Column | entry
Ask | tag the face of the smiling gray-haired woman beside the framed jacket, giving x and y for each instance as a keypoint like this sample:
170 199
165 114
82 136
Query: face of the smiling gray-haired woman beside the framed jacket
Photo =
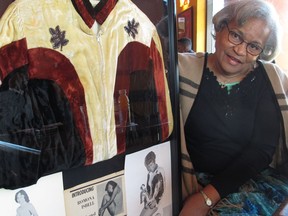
233 59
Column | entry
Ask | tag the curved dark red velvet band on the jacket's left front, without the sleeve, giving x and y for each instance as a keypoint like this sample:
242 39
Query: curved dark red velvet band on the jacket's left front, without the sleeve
52 65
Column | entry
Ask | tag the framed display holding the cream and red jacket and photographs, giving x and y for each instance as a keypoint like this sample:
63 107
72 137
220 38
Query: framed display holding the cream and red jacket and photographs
88 94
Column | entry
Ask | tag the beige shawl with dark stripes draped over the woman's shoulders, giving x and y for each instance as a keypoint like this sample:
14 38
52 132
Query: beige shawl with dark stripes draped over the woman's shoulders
190 72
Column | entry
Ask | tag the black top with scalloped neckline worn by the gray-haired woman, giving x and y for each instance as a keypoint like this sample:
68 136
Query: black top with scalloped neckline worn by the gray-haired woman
233 136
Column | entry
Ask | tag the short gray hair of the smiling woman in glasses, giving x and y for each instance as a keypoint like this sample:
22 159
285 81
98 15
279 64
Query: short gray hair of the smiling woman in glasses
242 11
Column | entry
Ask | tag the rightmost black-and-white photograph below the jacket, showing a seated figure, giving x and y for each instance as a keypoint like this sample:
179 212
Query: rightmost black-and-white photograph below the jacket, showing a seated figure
148 181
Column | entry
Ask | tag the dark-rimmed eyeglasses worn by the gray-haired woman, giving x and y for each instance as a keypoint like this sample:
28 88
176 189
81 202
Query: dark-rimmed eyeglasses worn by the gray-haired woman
235 38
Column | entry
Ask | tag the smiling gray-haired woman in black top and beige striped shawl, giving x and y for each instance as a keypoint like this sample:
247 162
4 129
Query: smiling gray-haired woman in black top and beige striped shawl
232 121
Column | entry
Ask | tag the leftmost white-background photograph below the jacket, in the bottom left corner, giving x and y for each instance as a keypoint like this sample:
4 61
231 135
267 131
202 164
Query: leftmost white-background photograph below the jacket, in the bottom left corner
45 198
